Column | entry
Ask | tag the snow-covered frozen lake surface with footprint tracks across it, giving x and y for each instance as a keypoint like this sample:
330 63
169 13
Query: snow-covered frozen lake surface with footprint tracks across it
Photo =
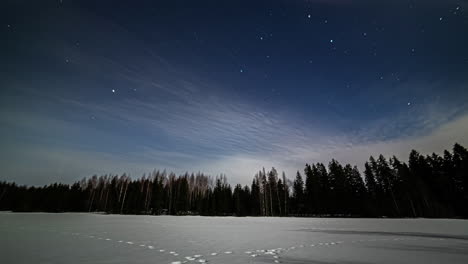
93 238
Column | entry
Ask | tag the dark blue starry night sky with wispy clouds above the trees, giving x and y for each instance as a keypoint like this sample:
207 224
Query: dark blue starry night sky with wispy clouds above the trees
92 87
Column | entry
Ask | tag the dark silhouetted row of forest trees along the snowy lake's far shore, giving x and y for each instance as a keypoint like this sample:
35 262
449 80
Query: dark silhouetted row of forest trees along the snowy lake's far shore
425 186
